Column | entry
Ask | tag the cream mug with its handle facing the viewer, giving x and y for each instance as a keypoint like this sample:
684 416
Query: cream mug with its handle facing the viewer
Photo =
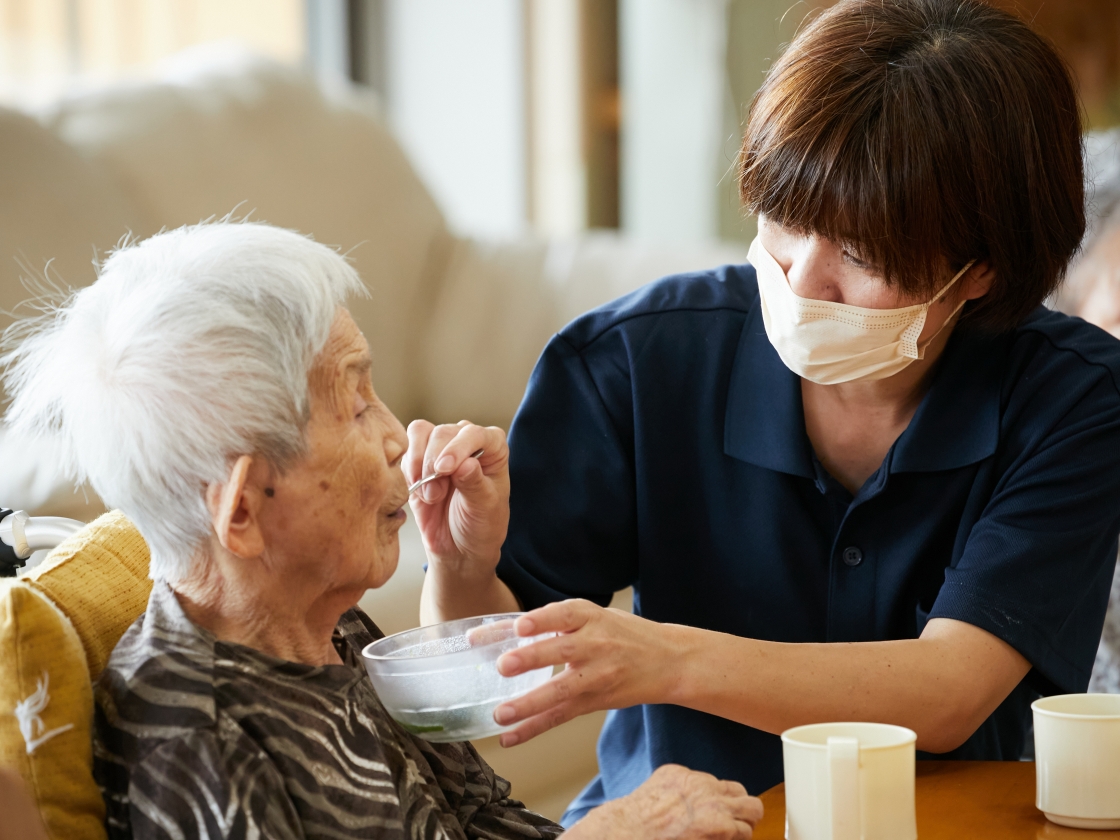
850 782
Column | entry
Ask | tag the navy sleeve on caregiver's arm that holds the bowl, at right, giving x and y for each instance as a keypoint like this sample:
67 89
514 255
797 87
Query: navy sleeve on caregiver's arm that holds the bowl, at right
1038 565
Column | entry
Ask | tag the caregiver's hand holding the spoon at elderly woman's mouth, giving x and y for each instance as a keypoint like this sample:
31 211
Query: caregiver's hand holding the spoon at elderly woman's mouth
464 516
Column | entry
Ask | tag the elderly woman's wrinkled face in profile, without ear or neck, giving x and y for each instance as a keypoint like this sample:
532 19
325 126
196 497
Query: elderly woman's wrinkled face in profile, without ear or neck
334 517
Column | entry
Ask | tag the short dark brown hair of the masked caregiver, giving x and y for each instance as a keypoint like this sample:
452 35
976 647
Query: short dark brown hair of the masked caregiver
925 132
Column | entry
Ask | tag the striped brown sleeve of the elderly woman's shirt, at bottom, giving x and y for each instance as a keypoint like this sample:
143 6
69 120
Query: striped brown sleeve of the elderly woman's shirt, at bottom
193 788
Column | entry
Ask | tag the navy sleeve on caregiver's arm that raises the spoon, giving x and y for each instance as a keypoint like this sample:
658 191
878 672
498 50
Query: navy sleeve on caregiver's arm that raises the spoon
572 470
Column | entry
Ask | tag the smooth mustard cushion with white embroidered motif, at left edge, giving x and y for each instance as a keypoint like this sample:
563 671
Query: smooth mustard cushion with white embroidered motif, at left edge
46 713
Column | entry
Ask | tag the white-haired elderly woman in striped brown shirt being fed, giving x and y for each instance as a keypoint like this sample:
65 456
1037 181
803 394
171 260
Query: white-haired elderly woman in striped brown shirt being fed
213 387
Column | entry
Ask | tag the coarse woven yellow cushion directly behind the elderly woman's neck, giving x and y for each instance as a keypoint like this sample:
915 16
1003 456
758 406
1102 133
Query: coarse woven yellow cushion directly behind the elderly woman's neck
99 578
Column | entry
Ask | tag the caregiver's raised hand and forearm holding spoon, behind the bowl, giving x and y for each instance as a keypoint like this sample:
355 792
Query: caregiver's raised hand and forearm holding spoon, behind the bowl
463 518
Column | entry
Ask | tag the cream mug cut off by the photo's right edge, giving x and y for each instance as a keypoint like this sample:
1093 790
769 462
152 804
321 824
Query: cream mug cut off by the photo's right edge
1078 760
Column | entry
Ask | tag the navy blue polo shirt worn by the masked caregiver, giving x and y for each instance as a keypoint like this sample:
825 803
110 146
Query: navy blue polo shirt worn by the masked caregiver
662 445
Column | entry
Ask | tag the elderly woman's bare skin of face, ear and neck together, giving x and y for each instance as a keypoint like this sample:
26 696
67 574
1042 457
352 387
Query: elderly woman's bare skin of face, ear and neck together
293 552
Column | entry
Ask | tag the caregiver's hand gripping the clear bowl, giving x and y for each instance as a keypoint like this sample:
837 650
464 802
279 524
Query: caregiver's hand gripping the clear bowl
613 660
